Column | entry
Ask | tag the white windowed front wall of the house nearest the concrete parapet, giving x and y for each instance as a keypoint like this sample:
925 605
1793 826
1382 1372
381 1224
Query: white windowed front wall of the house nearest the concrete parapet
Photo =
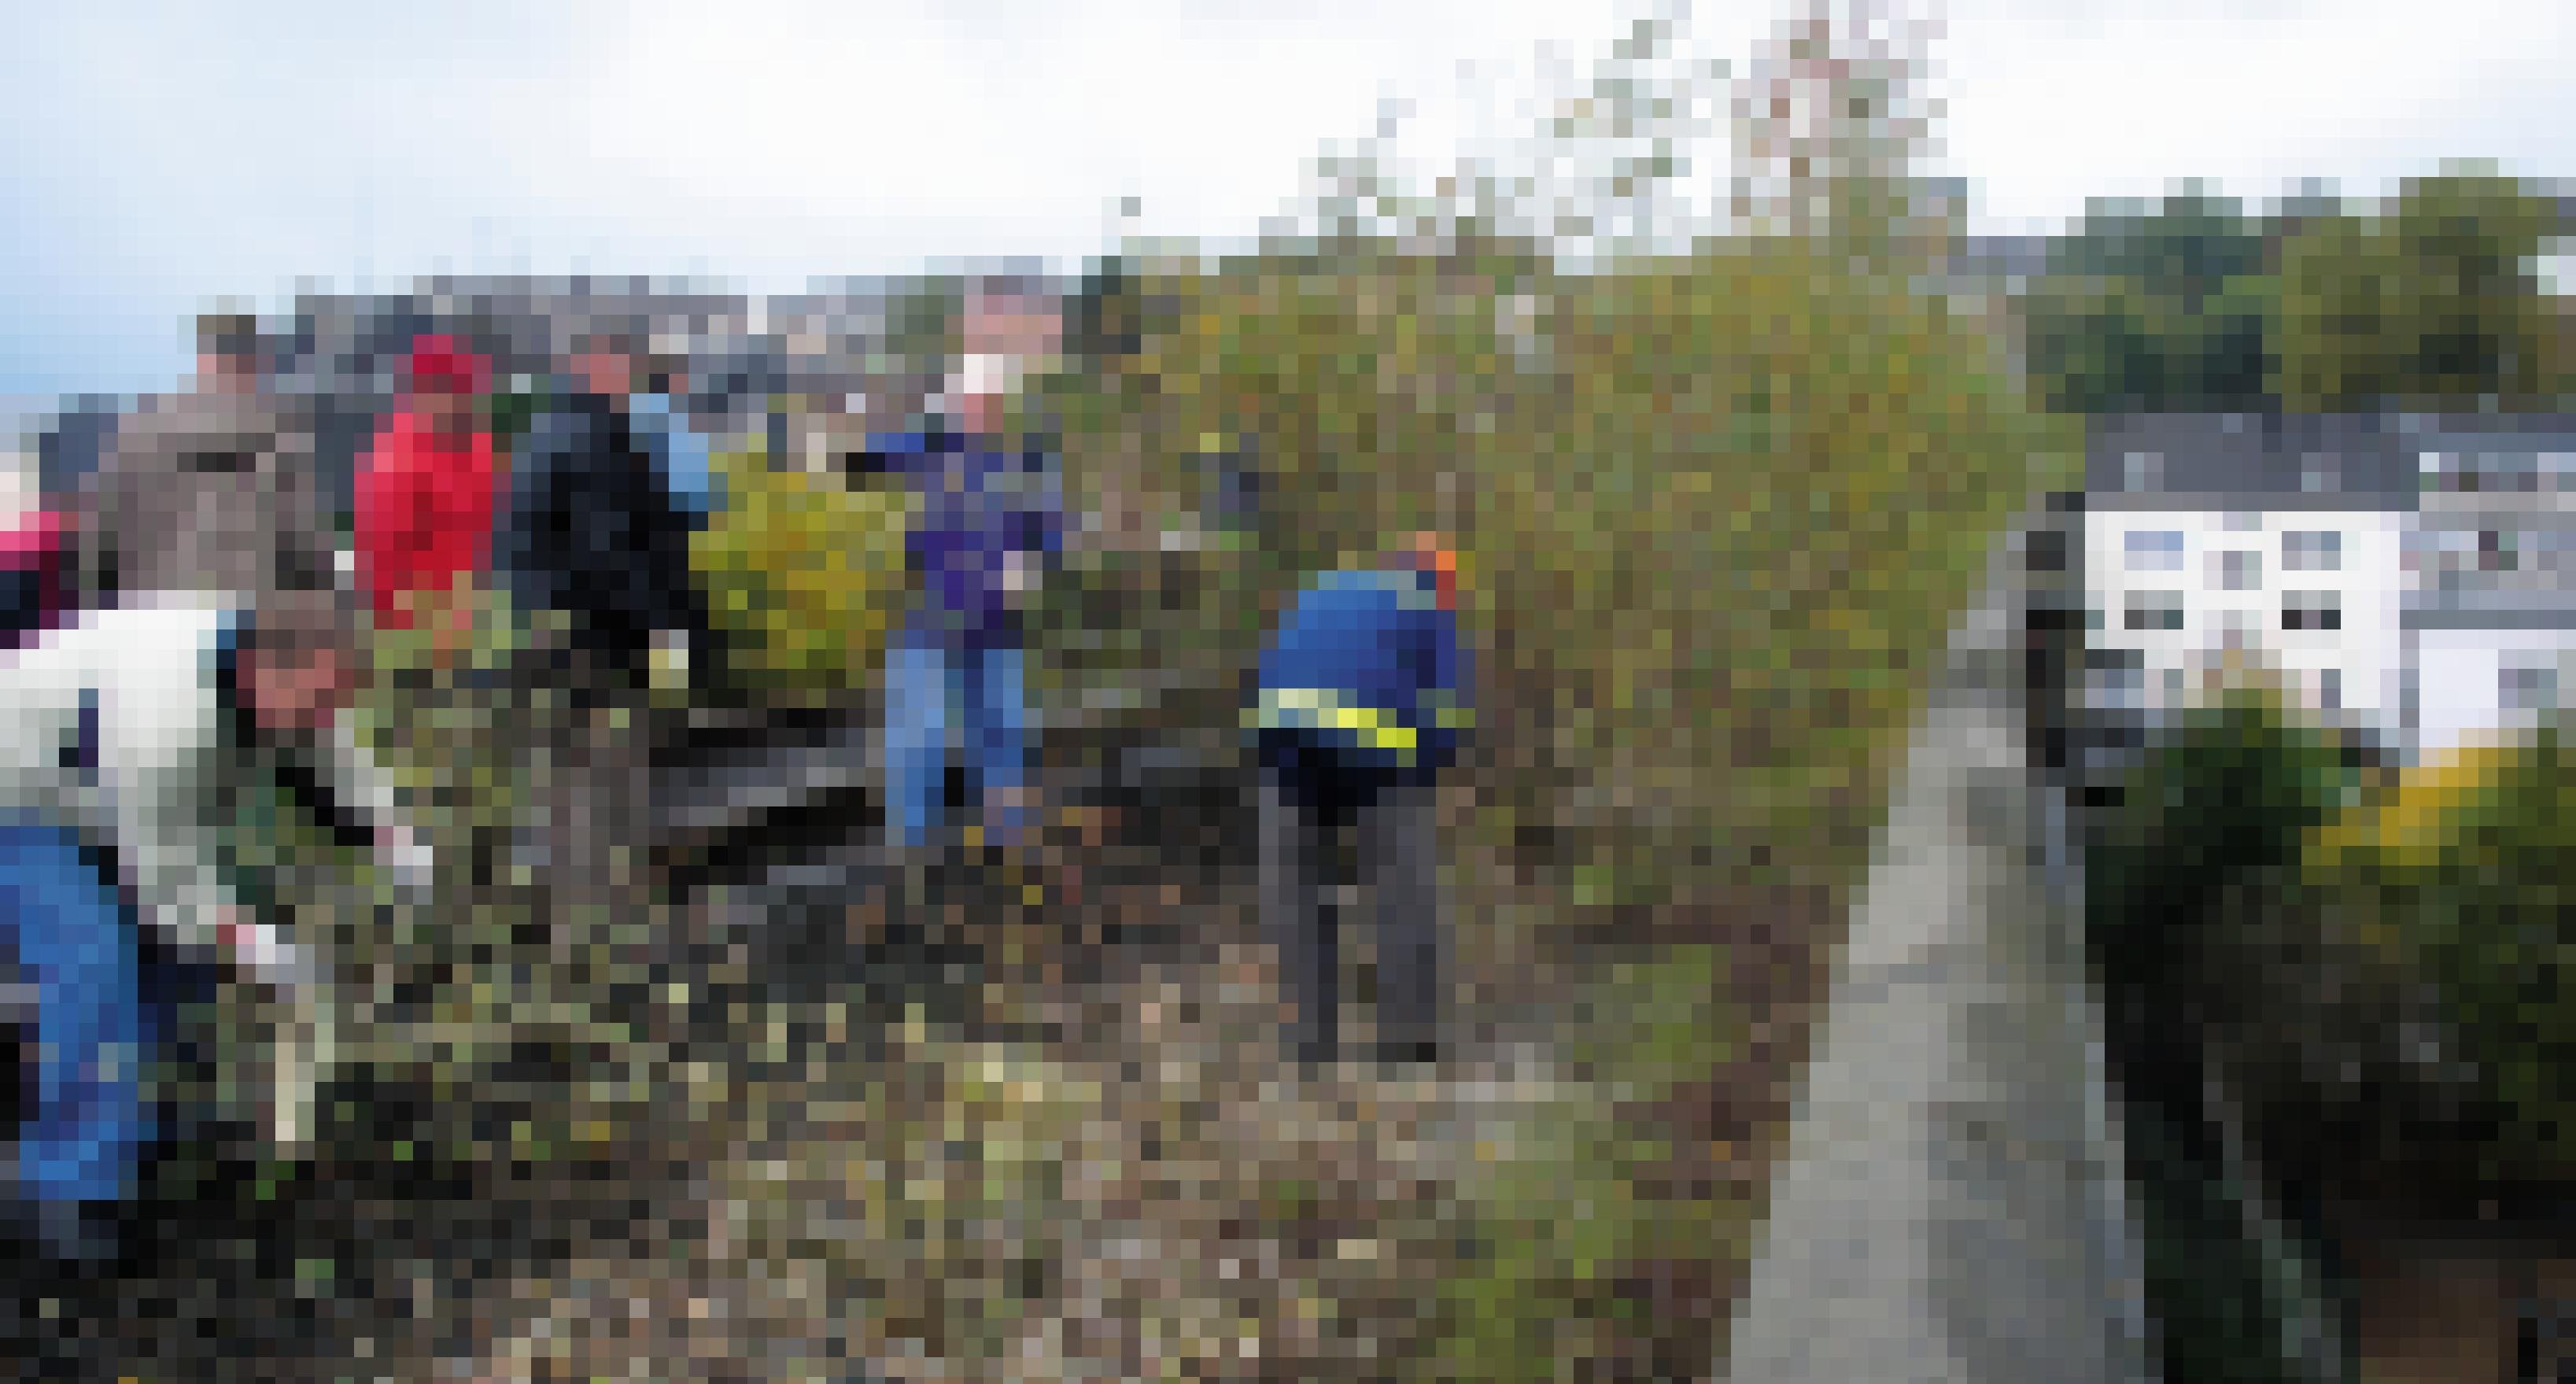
2183 561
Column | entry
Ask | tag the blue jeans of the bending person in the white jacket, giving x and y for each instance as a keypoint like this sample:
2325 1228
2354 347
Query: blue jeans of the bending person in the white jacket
71 942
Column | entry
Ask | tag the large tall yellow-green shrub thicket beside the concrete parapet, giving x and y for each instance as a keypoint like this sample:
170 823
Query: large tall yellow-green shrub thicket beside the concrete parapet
1717 519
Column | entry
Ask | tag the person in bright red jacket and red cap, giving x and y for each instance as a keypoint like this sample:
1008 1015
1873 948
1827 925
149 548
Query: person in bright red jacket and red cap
424 506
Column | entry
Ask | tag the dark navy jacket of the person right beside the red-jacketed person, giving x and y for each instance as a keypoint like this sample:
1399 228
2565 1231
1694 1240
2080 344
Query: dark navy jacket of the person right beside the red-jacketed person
594 532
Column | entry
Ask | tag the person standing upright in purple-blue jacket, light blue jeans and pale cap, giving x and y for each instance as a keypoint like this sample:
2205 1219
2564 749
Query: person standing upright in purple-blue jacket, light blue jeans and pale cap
988 527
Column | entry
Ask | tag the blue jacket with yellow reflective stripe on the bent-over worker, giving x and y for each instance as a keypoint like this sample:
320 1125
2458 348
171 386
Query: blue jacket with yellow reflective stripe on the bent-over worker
1367 666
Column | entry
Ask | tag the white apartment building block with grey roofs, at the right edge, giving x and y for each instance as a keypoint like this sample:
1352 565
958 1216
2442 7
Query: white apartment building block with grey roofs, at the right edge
2405 576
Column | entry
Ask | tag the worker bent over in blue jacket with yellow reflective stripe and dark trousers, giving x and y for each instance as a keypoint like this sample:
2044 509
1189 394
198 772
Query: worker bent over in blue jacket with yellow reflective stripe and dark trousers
1359 707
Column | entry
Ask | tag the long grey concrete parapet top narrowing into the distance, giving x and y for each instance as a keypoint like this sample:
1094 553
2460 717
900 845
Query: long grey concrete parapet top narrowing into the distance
1951 1202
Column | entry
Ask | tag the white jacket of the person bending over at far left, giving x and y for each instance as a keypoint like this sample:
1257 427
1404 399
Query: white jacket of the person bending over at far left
117 726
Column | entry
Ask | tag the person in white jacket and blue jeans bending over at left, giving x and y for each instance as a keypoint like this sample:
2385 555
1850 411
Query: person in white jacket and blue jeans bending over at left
125 738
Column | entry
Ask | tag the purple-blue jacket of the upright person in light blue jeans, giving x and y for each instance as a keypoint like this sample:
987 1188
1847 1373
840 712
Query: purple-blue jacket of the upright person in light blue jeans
978 509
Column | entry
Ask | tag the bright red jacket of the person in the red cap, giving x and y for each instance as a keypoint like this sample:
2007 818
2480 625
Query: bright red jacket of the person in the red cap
424 514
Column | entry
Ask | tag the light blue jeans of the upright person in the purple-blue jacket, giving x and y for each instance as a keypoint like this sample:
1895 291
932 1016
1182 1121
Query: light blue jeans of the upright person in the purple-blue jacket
931 692
